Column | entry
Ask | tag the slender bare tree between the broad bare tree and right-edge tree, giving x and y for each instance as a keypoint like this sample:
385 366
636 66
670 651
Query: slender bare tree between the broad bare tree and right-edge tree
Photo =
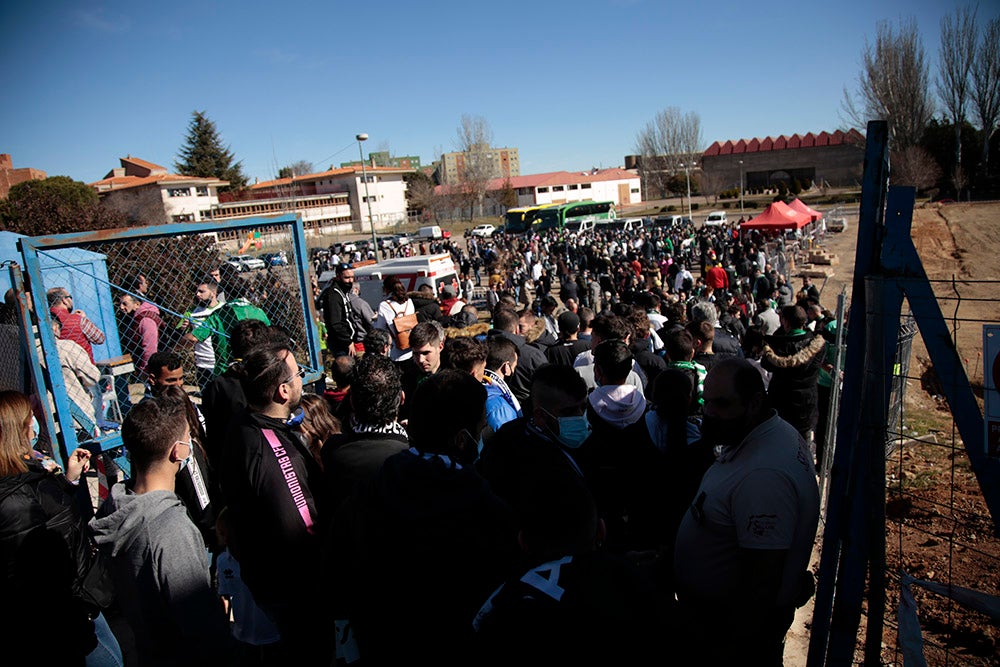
958 48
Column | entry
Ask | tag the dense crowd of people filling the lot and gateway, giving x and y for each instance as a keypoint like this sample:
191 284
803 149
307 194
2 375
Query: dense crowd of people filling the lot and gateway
611 457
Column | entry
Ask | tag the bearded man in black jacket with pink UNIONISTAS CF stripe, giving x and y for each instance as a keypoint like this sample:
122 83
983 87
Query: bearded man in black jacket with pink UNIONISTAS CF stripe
272 486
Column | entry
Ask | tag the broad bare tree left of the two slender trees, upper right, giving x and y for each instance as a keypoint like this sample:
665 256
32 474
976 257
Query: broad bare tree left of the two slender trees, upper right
893 85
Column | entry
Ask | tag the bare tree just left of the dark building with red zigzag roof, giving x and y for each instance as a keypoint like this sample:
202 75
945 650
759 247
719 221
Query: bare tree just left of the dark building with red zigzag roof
665 142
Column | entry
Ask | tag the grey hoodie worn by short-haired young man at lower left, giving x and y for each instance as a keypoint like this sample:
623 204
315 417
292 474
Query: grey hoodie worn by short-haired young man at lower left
161 577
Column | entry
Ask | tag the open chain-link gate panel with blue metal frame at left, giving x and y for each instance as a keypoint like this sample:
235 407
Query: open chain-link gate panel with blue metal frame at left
119 297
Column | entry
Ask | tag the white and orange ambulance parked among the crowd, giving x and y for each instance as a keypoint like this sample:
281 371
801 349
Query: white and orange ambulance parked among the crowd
434 270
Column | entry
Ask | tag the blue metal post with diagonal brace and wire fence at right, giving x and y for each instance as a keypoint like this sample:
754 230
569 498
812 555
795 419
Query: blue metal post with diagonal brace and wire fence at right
910 545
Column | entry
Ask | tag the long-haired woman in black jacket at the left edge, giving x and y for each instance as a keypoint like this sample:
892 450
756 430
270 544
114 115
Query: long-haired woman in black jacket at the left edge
48 566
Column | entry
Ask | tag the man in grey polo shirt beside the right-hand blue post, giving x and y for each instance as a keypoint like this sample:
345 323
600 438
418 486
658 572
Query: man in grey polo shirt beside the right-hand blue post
744 544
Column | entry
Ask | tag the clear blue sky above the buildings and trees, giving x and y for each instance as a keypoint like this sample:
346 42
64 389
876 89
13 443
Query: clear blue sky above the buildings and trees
568 83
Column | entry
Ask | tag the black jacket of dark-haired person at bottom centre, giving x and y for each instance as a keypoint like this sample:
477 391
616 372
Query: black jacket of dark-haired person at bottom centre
429 542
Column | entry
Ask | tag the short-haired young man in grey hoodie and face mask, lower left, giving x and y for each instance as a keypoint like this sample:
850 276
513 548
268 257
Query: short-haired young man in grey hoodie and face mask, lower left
157 556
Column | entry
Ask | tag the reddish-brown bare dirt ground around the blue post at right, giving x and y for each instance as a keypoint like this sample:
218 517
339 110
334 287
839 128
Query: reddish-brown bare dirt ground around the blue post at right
938 526
